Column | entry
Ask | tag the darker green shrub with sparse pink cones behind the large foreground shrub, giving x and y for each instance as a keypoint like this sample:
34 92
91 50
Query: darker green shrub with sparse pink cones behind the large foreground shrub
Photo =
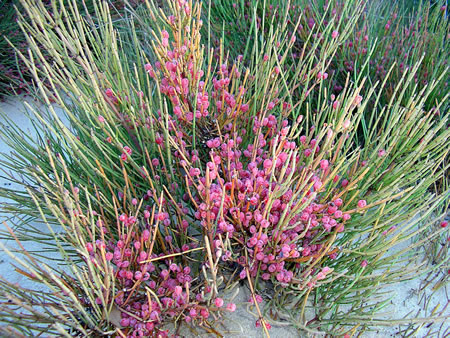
375 43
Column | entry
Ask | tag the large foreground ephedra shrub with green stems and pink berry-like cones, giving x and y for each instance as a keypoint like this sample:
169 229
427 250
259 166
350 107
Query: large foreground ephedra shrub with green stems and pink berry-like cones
178 176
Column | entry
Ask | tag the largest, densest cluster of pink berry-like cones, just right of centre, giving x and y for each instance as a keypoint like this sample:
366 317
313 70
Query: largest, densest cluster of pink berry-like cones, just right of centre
256 203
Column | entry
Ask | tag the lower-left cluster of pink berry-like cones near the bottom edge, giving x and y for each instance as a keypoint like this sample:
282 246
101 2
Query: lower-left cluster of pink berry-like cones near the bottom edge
137 269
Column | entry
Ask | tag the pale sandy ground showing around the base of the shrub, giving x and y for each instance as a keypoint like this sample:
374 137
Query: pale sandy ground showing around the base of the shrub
407 300
